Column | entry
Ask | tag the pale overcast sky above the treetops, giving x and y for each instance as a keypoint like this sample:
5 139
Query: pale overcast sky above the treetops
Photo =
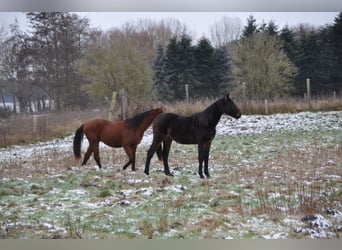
198 22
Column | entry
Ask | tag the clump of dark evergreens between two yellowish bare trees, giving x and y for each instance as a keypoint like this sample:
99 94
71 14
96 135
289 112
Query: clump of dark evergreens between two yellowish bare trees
204 68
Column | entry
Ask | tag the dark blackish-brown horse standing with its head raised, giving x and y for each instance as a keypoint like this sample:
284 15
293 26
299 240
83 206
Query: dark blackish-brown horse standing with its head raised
199 128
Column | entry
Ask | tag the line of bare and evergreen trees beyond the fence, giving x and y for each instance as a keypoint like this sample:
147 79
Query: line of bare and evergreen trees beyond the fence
62 62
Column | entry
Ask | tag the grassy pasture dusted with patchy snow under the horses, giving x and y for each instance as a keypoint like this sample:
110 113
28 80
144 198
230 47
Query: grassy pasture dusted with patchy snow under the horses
275 176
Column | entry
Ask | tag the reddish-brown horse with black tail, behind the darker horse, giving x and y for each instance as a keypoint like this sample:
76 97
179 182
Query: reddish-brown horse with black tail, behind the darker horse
127 134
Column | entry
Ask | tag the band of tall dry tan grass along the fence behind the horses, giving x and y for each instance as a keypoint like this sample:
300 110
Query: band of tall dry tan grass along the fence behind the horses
20 129
